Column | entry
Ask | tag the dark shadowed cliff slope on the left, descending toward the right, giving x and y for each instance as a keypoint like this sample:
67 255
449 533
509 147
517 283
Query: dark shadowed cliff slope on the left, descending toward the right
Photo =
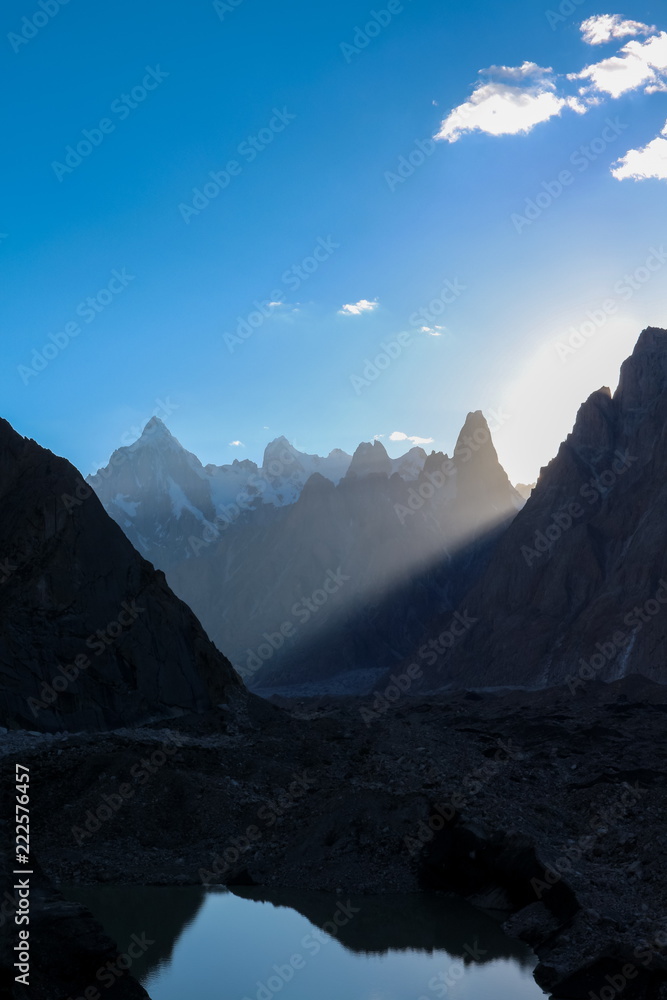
91 636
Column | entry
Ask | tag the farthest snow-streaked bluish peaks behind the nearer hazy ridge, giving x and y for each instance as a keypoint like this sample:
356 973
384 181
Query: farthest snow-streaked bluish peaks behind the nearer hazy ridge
168 503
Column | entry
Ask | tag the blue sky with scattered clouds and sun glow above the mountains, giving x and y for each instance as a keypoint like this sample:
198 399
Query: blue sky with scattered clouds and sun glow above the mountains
332 110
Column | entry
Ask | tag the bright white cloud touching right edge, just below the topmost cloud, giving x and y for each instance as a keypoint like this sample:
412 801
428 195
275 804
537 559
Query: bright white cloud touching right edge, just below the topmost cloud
639 64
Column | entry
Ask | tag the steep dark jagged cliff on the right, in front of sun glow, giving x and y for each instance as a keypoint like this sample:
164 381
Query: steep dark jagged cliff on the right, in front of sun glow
577 586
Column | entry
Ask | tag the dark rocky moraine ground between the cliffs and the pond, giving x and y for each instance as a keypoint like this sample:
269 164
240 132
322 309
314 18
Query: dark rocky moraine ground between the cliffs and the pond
548 808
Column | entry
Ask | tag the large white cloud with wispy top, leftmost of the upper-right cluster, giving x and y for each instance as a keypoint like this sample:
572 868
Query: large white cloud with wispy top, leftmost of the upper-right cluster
499 108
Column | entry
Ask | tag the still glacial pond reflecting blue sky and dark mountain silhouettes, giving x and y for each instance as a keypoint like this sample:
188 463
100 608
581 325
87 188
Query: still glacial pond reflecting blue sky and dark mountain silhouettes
257 944
